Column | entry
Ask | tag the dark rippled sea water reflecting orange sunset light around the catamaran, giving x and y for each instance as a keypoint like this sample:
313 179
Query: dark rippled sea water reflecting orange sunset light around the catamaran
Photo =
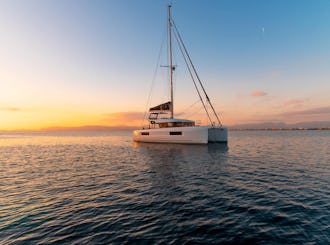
265 187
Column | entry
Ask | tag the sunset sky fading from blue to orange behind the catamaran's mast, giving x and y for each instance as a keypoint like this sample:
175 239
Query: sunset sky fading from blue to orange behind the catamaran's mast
77 63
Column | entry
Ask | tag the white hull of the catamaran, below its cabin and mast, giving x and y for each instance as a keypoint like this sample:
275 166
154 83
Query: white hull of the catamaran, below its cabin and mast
185 135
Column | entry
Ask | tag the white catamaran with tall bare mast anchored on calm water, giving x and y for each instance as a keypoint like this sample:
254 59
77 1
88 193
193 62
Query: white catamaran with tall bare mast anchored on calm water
163 126
